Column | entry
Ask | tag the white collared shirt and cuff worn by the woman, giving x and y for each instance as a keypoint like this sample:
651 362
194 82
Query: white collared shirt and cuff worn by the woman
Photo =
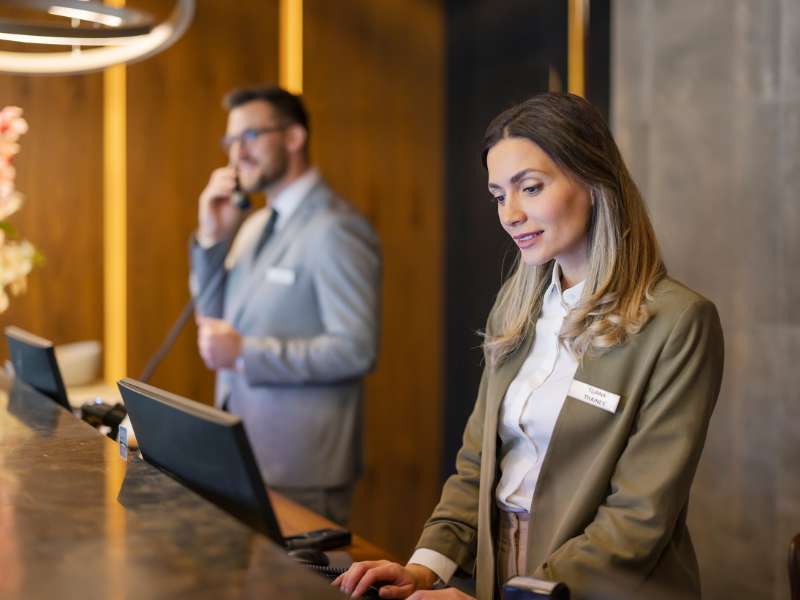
528 413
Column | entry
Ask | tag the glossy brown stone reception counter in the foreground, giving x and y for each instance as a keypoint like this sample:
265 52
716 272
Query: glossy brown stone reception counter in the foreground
77 521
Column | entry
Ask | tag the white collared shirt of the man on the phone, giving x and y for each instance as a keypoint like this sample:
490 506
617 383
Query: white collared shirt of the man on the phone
286 203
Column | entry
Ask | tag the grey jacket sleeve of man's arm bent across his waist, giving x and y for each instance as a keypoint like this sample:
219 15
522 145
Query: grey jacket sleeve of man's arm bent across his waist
346 274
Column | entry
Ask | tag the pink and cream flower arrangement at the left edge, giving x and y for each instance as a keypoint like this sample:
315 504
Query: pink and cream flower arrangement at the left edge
17 256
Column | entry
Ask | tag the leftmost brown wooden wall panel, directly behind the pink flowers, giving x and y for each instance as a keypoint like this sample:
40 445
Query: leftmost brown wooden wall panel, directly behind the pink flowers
60 172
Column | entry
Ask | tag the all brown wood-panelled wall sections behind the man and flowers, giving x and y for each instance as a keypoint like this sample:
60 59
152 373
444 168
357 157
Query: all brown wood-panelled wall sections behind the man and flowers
374 83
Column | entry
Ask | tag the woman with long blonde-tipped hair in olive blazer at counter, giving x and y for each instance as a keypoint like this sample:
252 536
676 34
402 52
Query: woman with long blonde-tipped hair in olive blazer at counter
601 376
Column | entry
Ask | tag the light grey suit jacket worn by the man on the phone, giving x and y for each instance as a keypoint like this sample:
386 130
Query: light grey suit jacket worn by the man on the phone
308 308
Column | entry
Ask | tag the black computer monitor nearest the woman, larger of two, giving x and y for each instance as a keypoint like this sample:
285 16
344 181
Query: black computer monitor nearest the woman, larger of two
204 448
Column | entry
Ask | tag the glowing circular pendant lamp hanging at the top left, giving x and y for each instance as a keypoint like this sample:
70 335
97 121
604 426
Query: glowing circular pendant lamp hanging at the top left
99 36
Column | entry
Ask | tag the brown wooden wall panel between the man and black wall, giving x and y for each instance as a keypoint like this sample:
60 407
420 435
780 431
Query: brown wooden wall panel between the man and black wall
373 82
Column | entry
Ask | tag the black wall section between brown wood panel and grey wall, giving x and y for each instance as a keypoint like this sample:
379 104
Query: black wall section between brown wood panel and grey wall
498 53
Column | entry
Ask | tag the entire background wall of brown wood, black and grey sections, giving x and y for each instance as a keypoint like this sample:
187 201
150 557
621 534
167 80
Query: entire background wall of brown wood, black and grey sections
704 99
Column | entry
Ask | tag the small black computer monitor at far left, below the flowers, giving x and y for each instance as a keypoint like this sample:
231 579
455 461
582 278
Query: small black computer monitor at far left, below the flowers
35 363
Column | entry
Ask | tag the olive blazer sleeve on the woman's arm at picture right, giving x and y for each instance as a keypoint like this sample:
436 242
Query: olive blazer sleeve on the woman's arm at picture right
650 484
